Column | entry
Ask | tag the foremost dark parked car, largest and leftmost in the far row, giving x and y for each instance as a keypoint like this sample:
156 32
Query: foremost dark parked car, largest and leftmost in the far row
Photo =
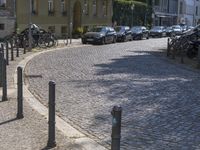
100 35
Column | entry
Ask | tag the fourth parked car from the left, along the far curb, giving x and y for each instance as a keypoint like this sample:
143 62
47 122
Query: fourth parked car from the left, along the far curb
158 31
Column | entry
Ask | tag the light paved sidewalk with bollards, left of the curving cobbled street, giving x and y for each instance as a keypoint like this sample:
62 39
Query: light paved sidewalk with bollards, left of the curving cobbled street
31 132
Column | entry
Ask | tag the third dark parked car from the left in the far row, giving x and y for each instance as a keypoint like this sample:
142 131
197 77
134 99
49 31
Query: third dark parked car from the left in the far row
139 32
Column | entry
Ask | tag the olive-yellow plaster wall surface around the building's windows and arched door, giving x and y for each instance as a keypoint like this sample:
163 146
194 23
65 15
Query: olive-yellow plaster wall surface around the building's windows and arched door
43 20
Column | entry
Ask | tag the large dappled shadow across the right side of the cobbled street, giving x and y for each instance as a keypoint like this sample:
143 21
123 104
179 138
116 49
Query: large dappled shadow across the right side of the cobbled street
159 100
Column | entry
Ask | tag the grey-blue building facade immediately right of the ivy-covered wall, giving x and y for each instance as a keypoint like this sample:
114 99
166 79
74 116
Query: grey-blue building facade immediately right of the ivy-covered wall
165 12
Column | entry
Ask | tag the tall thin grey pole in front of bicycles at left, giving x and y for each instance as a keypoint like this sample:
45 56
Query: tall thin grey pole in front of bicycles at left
29 27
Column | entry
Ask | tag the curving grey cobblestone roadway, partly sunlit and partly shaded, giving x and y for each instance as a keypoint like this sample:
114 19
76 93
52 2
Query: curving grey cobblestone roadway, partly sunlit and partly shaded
160 100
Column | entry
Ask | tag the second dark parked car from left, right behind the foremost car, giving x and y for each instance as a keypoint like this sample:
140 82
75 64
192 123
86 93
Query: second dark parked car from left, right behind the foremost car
123 33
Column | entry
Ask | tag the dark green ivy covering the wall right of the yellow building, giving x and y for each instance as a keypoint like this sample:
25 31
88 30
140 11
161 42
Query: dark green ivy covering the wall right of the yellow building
124 15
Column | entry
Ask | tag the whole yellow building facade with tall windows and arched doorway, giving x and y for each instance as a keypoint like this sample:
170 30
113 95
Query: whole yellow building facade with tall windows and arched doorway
62 16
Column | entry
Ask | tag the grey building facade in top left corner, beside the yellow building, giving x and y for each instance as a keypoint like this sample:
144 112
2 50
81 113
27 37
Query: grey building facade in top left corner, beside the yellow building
7 17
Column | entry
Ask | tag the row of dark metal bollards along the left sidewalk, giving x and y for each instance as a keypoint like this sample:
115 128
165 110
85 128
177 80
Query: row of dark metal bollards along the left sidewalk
116 111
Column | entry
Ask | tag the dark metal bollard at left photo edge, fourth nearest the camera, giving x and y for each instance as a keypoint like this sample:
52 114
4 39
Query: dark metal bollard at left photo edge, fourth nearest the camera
4 76
